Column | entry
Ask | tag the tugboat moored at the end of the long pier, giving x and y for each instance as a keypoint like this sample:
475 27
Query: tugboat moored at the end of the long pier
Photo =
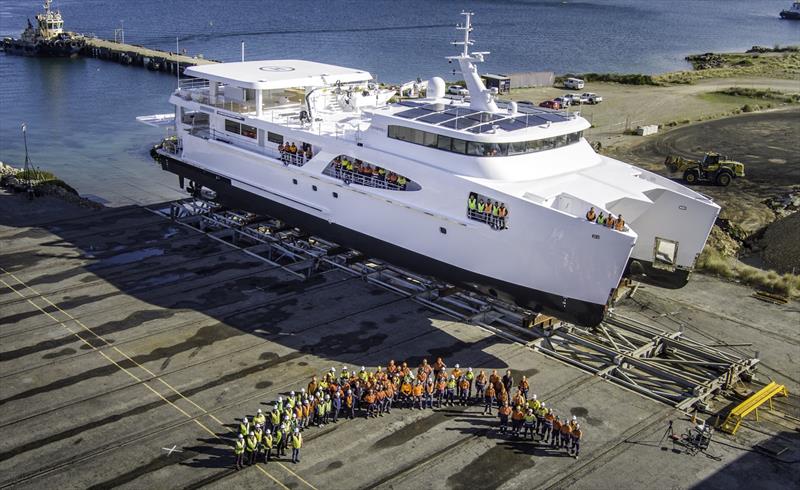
47 38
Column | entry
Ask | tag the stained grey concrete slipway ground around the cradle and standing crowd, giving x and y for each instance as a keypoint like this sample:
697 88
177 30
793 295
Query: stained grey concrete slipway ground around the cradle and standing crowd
131 345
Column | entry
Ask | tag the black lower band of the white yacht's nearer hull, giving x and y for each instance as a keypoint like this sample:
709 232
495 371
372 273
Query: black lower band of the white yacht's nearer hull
566 309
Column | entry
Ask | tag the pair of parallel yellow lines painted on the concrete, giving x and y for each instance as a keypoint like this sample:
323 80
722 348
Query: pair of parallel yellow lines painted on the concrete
205 412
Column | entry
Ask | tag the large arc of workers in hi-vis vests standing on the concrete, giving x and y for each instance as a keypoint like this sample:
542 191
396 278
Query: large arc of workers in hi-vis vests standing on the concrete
365 393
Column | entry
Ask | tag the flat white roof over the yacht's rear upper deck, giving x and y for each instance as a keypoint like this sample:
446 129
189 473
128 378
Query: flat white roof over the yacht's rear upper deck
277 74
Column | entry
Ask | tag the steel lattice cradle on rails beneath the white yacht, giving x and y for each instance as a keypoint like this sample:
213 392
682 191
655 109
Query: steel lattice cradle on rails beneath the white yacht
662 365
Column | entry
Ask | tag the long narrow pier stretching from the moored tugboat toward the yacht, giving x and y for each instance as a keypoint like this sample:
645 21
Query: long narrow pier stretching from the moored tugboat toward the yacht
131 54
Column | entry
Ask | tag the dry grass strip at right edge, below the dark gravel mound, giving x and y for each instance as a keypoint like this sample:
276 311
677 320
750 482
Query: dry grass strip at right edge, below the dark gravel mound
711 261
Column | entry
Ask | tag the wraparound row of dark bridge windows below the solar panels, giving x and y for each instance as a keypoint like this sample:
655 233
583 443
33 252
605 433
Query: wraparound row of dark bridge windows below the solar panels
476 148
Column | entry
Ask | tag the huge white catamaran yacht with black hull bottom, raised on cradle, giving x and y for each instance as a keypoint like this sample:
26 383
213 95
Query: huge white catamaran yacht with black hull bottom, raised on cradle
320 147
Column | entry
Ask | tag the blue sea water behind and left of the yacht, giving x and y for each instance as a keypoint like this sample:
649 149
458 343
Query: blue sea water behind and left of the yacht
80 113
